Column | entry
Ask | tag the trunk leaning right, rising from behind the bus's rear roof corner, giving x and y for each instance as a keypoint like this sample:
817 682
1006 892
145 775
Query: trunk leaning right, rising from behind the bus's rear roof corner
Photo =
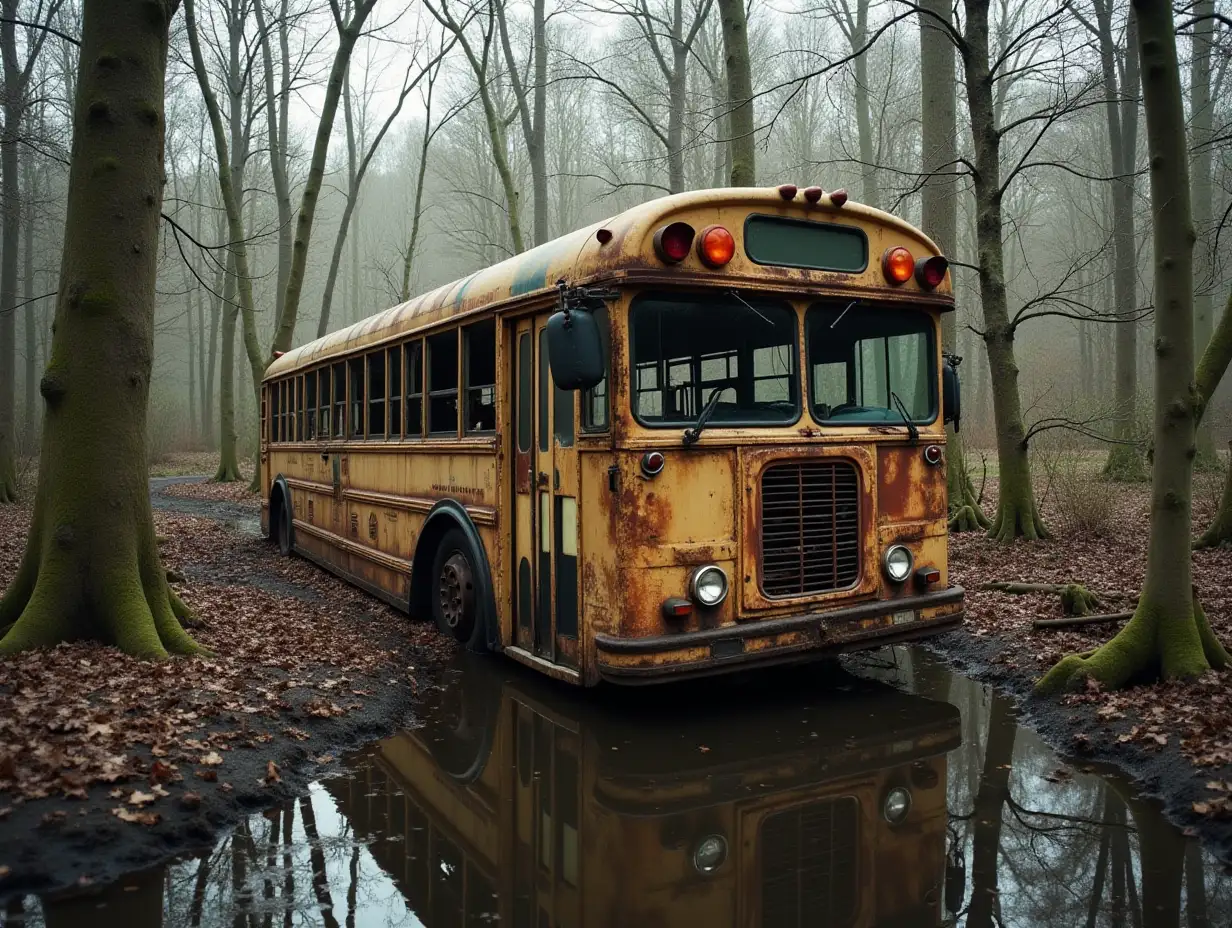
285 332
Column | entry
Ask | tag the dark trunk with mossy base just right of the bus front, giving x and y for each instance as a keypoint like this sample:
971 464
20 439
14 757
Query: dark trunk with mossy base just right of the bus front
1017 513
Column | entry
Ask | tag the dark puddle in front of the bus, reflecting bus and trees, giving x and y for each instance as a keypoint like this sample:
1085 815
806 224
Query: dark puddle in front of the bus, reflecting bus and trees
788 799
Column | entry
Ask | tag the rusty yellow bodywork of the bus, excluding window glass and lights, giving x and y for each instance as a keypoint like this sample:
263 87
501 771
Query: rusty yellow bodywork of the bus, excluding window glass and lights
581 550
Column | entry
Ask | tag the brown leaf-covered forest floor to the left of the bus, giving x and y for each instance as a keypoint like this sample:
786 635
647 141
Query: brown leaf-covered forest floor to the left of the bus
109 763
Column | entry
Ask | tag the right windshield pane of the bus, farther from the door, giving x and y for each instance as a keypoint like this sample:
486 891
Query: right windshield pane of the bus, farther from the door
867 362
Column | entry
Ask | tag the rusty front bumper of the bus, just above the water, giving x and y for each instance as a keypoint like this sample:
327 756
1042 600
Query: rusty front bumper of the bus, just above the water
772 641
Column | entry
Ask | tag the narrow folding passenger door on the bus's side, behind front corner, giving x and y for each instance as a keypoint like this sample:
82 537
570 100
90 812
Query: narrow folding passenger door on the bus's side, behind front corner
545 503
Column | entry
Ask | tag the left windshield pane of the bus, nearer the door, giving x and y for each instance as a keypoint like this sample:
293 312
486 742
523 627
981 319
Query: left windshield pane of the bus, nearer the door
684 348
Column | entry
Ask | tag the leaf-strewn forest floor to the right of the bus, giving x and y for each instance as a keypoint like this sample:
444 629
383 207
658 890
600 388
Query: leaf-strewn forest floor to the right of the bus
1176 740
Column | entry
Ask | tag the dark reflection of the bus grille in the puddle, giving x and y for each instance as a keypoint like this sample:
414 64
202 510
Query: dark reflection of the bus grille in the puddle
809 866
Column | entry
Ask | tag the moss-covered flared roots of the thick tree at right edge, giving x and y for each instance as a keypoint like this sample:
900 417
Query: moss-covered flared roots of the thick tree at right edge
1153 645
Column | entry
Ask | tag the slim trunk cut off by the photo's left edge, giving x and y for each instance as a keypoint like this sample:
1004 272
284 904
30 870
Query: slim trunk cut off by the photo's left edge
10 234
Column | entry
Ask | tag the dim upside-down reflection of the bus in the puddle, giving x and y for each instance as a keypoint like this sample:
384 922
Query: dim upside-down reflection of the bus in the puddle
528 805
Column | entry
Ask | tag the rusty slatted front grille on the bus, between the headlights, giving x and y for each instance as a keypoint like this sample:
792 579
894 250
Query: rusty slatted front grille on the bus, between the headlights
810 528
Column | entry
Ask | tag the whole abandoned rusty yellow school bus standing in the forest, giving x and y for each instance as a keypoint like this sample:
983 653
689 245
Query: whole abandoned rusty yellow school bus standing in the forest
704 434
